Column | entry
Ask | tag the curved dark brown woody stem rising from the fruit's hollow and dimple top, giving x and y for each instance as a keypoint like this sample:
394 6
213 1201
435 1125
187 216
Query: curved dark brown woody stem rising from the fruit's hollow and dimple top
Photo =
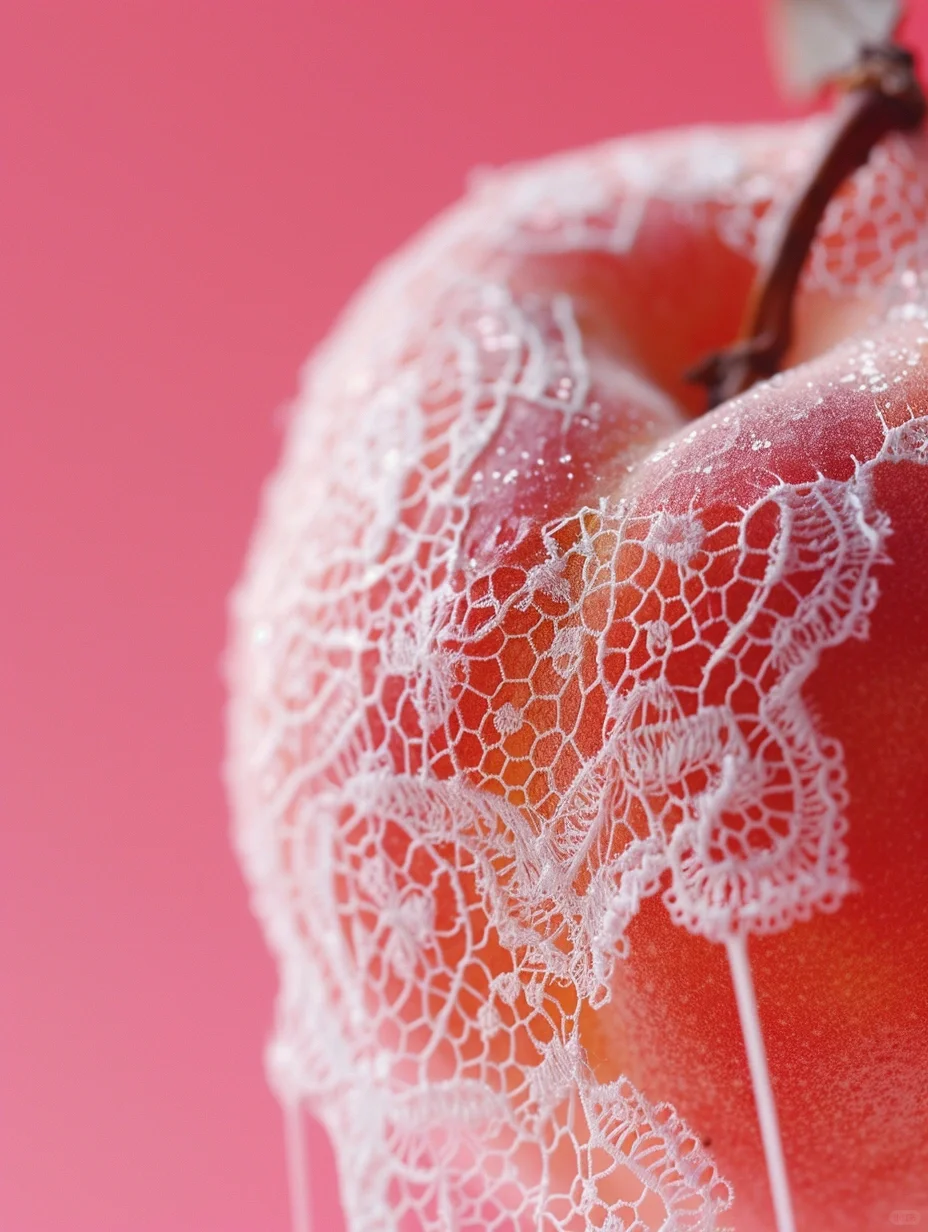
882 95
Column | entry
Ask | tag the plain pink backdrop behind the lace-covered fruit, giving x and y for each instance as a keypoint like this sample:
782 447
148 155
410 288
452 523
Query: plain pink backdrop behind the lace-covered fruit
189 193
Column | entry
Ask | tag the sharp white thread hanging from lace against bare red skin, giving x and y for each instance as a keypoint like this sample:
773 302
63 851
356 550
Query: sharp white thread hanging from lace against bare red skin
765 1102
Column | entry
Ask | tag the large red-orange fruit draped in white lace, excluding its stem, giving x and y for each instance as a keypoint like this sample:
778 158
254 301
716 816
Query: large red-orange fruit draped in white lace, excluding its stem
453 588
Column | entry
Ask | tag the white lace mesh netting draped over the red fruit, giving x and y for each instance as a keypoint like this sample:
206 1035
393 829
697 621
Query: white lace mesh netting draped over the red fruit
458 774
